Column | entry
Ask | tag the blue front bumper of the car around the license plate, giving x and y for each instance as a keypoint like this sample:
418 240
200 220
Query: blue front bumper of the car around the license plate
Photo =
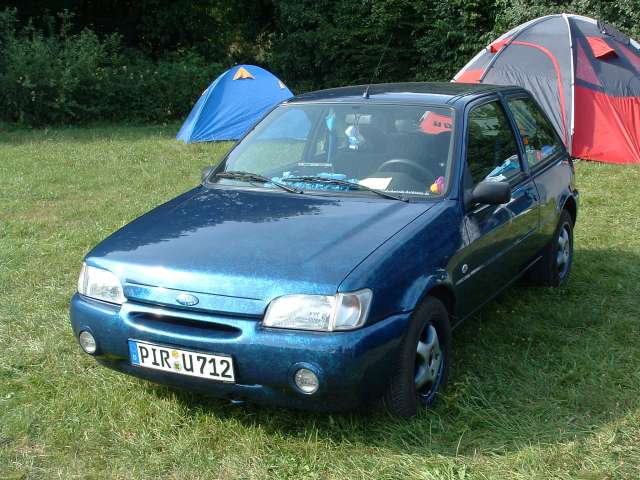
352 366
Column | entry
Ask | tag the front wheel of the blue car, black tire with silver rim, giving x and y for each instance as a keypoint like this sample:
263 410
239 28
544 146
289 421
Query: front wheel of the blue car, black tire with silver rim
422 362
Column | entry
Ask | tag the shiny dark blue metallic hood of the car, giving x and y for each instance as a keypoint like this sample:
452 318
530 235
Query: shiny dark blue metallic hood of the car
235 250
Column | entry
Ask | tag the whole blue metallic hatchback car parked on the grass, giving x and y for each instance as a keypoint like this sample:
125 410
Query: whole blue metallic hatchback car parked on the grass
325 261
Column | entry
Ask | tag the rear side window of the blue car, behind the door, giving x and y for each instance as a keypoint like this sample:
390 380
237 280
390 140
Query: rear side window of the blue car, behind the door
539 137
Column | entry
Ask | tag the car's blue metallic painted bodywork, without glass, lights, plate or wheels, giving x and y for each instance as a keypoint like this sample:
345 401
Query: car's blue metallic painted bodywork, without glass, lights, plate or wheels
236 249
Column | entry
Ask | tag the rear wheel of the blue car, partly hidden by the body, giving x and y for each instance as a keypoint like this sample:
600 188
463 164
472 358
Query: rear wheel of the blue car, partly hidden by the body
553 269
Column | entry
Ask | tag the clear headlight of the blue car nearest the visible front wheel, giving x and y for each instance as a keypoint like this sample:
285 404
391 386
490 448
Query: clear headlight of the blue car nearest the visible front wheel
343 311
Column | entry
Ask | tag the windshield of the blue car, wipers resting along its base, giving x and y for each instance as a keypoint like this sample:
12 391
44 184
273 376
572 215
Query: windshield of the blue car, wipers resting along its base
399 149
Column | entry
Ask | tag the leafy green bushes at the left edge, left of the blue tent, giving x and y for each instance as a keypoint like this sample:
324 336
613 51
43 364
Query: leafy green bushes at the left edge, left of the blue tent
51 76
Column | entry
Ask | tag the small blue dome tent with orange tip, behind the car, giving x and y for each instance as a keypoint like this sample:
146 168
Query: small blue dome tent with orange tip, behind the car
232 104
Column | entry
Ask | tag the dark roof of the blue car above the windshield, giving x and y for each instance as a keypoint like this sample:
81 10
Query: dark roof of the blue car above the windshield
409 92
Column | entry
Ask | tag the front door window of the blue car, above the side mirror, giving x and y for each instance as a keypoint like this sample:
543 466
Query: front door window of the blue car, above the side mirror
492 152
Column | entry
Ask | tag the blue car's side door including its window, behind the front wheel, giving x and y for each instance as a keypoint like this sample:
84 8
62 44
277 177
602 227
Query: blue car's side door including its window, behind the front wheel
499 239
